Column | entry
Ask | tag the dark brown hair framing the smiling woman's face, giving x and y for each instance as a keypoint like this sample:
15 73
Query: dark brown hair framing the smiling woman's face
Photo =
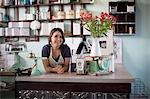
53 31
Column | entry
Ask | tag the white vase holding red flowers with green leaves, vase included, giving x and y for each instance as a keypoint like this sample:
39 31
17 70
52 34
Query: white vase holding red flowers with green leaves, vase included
98 26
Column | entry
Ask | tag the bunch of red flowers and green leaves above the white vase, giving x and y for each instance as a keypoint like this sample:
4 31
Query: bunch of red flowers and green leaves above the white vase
98 25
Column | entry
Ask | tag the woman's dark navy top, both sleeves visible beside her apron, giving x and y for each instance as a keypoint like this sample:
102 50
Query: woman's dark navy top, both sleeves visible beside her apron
65 51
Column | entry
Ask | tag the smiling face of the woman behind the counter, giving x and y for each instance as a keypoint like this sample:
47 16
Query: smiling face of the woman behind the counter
56 39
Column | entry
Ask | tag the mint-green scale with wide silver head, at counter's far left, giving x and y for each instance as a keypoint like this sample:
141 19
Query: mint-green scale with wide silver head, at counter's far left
16 48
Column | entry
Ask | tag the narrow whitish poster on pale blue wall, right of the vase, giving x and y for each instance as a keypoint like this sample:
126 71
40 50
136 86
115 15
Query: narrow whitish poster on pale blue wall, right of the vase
118 50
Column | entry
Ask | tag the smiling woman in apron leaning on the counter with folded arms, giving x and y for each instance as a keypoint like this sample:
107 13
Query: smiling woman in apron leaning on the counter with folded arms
57 53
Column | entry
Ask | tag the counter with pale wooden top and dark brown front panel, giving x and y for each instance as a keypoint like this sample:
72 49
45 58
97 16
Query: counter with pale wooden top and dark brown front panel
117 82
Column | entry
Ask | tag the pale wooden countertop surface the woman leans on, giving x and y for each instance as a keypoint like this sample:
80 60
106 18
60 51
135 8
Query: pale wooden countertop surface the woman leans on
121 75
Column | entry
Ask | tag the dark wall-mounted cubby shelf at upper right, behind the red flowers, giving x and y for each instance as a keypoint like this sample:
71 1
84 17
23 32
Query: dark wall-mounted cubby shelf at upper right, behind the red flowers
125 13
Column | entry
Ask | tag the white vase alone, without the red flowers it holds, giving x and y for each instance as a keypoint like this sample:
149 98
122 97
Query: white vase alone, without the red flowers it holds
95 49
